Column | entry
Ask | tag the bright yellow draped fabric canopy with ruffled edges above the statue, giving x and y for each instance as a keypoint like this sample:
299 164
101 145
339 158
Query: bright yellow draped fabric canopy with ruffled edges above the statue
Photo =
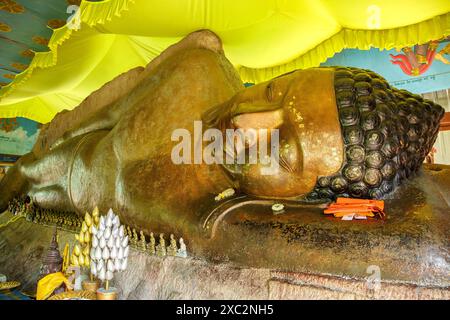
262 38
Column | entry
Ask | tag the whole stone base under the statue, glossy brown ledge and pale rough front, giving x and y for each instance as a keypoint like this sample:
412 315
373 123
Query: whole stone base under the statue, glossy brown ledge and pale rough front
300 254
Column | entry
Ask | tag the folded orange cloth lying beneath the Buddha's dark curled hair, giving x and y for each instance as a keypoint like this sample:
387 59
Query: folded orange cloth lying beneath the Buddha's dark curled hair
360 207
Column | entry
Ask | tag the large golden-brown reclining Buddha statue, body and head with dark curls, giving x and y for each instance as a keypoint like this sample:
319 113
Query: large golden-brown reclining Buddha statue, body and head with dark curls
343 132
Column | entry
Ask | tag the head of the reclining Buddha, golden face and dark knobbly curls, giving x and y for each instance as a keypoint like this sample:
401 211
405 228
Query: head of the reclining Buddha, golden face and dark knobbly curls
341 132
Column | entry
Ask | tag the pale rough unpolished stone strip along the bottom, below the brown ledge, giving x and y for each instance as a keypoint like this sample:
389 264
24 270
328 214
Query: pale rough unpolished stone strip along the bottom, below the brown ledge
174 278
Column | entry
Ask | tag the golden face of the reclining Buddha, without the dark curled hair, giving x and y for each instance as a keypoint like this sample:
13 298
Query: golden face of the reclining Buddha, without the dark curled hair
301 106
